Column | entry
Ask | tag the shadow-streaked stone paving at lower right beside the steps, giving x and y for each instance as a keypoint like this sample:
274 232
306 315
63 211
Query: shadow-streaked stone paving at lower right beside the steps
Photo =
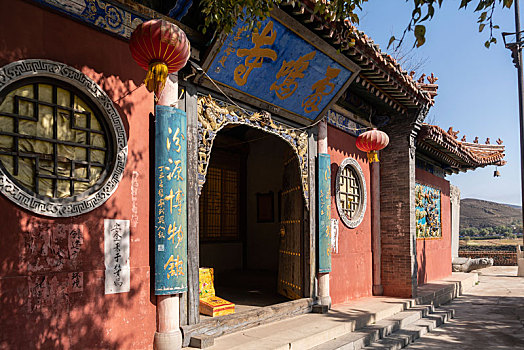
488 316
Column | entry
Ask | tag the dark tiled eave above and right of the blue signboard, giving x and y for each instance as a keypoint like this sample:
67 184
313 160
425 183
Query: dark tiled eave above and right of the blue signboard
381 74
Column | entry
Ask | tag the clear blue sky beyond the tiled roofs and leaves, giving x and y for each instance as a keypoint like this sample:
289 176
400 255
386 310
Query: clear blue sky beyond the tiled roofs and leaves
477 92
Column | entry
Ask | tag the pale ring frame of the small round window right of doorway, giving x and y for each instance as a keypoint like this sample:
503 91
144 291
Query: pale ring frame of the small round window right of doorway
359 216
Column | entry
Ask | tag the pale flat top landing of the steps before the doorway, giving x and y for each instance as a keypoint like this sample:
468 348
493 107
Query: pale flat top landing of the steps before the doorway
311 330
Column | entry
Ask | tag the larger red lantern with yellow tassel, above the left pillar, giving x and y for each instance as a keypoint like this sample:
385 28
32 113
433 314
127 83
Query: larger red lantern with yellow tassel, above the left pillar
160 47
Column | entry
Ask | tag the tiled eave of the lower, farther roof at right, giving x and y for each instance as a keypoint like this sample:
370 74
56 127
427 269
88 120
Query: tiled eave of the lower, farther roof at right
456 155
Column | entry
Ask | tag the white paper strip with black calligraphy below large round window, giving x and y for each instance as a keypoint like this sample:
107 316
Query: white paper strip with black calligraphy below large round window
116 251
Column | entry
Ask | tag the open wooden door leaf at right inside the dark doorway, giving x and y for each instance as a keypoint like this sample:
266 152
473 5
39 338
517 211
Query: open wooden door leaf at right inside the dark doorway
290 266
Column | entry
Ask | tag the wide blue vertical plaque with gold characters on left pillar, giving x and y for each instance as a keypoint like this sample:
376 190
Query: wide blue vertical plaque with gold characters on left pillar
170 201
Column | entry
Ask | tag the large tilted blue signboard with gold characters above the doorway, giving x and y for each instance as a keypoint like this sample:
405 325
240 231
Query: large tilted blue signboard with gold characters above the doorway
275 65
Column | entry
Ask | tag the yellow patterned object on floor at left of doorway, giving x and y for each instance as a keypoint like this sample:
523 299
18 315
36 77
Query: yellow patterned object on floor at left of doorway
210 304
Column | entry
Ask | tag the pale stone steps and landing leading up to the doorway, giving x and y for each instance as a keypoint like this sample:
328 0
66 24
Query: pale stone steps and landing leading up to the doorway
367 323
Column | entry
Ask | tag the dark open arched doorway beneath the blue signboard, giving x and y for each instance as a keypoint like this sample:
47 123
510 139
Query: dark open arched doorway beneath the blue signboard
251 219
